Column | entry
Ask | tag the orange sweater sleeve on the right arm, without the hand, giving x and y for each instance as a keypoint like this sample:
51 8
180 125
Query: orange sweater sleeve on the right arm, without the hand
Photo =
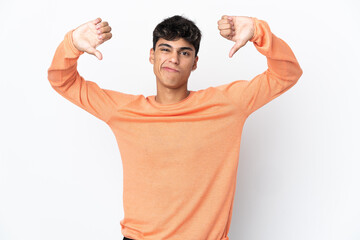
282 73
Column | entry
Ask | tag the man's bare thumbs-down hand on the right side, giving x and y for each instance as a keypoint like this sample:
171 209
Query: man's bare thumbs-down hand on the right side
237 29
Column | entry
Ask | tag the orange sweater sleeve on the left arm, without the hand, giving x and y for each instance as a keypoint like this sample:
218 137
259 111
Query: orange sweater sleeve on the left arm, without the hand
65 79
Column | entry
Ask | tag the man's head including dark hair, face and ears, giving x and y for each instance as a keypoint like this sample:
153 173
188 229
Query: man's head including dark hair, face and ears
176 42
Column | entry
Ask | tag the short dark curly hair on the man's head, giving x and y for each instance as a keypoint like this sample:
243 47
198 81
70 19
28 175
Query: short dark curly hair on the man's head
176 27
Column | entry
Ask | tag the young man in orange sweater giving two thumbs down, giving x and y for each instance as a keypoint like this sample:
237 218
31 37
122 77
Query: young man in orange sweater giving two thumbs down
180 148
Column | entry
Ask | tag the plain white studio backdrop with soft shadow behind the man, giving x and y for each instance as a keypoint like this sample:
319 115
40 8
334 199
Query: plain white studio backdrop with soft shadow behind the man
298 175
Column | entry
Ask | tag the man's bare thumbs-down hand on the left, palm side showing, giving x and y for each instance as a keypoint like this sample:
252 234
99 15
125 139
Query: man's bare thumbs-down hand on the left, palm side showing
90 35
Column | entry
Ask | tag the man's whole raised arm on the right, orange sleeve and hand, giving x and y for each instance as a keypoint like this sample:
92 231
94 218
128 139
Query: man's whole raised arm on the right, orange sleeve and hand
283 69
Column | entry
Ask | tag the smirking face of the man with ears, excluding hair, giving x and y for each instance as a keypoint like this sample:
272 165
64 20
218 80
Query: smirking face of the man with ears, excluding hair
173 62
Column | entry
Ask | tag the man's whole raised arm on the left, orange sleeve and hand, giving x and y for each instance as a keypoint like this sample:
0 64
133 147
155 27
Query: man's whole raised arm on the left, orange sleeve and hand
65 79
